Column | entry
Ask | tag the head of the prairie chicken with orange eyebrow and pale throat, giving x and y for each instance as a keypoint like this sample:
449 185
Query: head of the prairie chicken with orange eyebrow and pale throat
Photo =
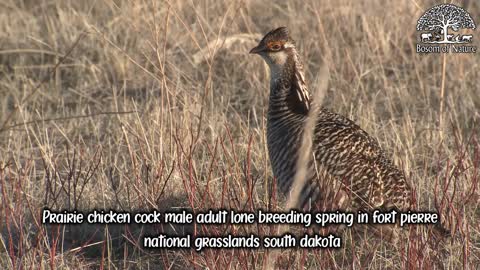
275 48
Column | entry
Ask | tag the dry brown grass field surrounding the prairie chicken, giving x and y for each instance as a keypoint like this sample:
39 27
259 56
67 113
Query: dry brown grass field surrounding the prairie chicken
140 105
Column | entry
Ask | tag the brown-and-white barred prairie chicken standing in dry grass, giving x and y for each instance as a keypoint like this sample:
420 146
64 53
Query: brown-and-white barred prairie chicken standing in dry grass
348 170
